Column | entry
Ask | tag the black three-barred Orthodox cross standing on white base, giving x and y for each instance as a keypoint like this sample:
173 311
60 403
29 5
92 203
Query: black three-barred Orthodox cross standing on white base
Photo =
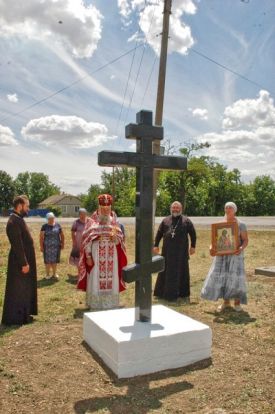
145 162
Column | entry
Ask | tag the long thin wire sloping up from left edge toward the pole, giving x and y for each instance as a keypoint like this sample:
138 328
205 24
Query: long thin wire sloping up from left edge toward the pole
71 84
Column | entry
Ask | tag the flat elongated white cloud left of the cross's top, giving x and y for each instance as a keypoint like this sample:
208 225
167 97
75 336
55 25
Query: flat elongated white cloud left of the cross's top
66 131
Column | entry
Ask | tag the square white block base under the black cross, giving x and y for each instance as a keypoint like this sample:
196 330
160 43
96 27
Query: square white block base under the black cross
130 348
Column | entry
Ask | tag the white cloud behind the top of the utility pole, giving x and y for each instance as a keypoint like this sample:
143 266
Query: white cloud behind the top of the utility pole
150 22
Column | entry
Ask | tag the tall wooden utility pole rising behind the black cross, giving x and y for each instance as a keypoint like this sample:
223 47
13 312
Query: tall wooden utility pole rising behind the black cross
161 87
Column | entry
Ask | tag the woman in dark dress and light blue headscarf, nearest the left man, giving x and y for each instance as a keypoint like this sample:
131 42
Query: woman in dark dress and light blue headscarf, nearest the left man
51 242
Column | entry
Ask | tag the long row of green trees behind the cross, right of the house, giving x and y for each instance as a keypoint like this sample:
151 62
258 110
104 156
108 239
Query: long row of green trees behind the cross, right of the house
203 189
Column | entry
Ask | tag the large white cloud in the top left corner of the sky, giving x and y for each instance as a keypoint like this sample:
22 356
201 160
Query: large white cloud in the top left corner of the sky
67 22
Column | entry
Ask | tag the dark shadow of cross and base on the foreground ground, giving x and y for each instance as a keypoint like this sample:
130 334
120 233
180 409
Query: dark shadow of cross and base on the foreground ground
140 397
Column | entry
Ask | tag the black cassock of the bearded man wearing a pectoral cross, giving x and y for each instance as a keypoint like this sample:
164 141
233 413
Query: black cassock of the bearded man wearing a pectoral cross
174 281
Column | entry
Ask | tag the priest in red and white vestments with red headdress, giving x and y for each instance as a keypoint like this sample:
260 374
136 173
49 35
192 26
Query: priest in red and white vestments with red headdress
102 258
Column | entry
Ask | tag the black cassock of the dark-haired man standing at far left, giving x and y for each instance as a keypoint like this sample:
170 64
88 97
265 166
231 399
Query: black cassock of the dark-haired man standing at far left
21 289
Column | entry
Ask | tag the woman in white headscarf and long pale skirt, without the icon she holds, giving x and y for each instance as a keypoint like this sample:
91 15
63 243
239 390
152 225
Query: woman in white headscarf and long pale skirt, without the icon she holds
226 277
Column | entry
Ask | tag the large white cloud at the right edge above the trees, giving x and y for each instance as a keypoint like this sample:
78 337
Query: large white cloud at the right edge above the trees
248 135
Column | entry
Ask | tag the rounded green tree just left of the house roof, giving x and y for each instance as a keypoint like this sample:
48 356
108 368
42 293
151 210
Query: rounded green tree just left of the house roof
37 186
